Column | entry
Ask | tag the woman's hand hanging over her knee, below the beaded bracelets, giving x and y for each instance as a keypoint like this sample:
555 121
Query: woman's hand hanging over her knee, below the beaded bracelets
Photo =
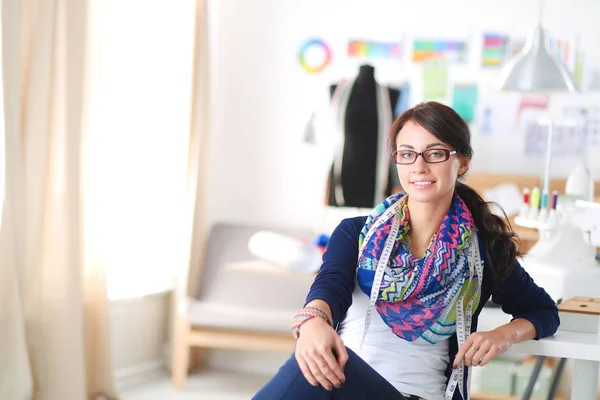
321 354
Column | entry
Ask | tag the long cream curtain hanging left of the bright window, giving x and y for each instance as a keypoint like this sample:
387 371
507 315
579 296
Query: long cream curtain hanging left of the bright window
53 307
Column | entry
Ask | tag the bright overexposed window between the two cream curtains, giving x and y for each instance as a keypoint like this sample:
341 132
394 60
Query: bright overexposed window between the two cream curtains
137 148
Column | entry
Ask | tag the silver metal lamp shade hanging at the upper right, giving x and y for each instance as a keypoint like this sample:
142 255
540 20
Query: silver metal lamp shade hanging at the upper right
534 69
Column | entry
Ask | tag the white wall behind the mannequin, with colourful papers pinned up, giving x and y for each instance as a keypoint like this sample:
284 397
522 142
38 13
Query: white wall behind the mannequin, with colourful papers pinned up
260 169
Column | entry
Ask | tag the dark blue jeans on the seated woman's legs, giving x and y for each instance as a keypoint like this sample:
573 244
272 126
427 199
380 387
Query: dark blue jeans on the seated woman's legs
362 383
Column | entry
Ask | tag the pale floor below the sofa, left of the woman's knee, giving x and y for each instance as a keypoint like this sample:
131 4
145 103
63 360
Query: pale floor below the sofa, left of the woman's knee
207 385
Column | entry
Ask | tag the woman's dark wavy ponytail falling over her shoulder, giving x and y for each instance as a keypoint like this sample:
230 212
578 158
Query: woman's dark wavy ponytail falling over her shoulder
496 233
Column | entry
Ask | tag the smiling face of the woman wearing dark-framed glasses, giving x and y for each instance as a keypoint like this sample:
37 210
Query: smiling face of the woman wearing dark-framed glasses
427 182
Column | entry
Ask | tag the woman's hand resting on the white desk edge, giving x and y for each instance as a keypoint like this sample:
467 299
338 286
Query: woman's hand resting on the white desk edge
481 347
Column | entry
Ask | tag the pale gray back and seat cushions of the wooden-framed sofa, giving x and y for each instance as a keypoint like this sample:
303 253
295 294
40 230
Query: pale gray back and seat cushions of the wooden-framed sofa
253 300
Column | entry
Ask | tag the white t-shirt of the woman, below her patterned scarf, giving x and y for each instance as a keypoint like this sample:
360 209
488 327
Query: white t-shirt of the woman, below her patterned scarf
415 368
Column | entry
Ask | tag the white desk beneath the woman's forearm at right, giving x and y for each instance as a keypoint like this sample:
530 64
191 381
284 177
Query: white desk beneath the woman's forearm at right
583 348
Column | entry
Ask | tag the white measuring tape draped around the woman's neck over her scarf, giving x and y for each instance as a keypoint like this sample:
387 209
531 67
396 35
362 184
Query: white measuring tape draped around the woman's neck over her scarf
463 317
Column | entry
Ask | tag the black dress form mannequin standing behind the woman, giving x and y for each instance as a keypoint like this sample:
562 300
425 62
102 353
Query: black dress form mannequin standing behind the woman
361 141
